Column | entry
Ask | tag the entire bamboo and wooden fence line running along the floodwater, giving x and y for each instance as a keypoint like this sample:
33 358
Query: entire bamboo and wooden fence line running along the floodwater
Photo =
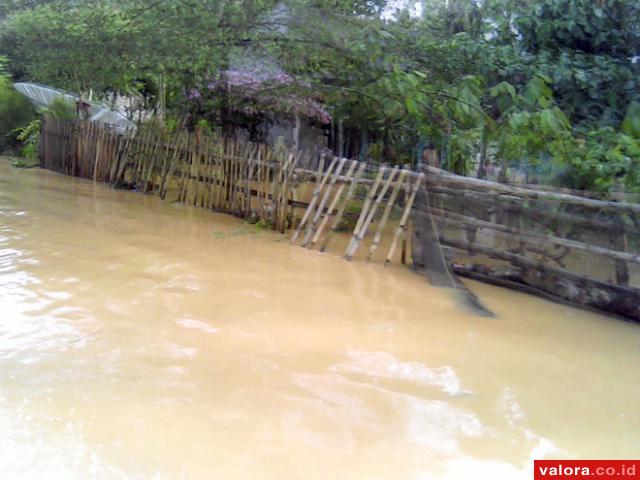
538 239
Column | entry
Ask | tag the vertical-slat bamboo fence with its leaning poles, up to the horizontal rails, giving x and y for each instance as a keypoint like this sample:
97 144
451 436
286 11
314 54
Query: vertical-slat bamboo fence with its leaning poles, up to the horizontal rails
240 178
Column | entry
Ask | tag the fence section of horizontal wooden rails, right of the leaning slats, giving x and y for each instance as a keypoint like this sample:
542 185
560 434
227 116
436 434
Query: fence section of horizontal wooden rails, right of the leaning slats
564 246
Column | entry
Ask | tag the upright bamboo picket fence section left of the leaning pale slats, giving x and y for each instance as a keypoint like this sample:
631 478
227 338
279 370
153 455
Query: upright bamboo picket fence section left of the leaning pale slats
230 176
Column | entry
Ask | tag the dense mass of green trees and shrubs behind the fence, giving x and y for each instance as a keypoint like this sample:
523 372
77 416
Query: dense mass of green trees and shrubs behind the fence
547 89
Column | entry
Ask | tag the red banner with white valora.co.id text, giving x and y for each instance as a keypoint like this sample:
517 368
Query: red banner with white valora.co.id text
581 469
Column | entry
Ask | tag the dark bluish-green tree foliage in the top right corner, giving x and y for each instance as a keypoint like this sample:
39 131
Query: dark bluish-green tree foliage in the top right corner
585 47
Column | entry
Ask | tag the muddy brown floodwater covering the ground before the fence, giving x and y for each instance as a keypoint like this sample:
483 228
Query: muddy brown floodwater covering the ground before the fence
142 339
